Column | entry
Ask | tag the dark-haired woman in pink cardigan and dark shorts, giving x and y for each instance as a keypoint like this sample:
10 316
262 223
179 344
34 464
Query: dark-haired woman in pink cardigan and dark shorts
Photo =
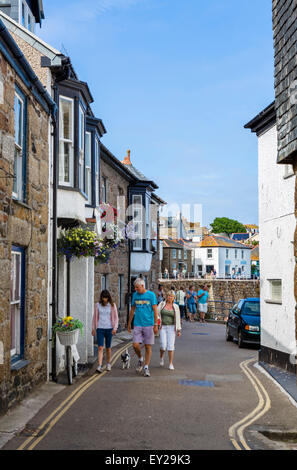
105 324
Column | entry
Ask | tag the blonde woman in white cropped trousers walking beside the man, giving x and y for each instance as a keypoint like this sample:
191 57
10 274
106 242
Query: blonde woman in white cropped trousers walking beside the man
170 325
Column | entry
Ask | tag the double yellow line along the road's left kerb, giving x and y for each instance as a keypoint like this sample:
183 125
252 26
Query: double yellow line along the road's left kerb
57 414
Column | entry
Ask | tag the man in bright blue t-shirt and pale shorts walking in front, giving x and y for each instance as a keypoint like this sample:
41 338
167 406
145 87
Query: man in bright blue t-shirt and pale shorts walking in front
144 308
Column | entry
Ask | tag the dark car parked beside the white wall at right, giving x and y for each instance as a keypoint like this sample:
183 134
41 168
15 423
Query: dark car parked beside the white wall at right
243 322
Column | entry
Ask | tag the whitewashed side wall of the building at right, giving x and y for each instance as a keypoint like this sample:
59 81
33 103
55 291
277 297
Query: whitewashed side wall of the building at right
277 226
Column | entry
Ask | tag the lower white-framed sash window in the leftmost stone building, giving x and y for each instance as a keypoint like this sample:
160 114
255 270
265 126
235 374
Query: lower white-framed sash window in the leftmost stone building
16 302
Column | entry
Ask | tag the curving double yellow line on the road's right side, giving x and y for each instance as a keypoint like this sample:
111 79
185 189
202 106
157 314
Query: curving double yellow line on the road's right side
236 432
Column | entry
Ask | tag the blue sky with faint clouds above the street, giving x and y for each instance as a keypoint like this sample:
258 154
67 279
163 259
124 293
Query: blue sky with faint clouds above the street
175 82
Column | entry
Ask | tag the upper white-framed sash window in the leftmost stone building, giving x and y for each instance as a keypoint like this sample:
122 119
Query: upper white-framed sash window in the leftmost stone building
20 148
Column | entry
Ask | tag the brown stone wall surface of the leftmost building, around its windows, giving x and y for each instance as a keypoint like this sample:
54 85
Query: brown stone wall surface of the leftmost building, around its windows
26 226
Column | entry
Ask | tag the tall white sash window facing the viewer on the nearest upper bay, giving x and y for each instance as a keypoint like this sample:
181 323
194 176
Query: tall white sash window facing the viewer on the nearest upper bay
66 144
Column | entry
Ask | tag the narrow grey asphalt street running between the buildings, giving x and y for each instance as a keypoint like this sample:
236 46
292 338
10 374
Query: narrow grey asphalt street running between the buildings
190 408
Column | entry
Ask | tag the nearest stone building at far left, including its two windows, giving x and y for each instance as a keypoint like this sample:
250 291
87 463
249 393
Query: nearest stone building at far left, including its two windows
26 111
